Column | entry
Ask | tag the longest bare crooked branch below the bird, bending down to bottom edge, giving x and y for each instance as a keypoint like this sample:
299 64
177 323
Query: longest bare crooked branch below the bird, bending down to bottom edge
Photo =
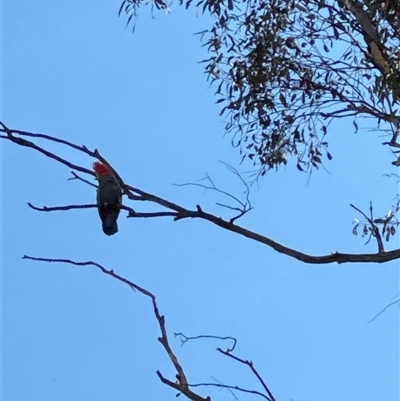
181 384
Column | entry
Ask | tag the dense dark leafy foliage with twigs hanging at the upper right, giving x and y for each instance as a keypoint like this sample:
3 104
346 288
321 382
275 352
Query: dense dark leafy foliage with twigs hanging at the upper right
285 69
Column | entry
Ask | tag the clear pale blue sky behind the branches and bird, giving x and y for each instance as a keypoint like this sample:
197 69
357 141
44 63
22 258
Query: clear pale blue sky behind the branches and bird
72 70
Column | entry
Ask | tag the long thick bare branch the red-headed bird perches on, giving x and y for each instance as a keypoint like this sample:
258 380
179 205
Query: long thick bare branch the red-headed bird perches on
178 212
